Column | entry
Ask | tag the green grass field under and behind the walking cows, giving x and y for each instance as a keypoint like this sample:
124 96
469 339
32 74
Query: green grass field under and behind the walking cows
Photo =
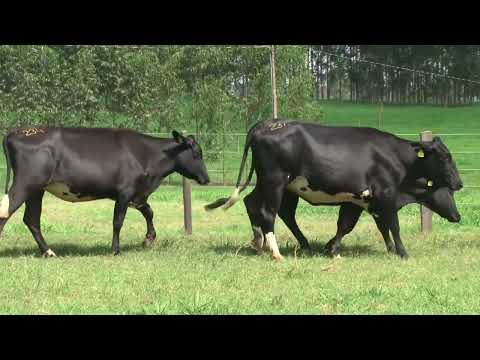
214 271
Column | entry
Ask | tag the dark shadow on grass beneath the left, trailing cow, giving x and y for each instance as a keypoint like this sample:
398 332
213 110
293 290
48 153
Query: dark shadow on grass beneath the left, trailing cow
71 250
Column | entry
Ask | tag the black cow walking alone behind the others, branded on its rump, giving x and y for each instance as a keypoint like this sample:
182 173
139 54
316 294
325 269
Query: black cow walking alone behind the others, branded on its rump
79 164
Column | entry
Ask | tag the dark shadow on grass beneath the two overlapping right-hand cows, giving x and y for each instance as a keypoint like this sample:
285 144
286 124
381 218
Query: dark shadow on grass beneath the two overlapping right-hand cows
289 250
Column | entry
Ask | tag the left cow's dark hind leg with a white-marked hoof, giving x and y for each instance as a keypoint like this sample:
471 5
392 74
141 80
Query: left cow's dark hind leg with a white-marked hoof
31 218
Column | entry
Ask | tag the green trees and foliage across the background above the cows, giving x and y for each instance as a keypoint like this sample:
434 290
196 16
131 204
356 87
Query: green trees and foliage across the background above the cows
211 88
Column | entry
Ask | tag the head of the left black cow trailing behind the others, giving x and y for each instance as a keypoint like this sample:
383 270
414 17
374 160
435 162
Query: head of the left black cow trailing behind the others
189 159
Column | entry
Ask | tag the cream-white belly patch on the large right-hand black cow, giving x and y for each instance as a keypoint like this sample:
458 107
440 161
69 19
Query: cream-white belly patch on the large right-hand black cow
300 186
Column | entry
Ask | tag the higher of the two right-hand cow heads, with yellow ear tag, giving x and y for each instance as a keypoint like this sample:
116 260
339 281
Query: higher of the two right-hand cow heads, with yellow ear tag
437 164
